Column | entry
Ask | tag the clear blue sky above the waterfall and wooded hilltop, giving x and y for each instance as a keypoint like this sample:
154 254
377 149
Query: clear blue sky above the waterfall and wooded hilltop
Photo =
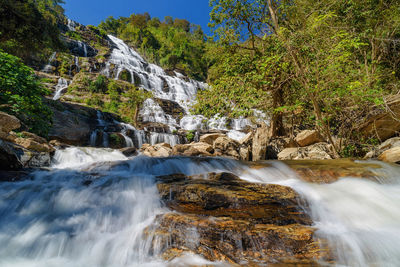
94 11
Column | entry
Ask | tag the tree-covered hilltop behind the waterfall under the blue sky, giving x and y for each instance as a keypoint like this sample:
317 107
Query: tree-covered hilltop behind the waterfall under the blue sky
173 43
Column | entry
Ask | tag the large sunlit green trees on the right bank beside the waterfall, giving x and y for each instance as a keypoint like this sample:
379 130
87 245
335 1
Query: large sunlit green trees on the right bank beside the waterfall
321 61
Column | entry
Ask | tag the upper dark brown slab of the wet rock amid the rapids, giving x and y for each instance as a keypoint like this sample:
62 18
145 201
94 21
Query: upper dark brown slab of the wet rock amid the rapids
224 194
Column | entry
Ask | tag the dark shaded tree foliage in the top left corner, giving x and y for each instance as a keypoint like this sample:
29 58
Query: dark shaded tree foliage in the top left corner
28 28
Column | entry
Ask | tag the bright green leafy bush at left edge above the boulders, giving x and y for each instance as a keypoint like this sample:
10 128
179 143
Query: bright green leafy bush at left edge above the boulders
21 94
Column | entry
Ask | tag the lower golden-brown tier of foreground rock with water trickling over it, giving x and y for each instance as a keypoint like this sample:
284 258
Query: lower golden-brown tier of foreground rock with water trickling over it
236 241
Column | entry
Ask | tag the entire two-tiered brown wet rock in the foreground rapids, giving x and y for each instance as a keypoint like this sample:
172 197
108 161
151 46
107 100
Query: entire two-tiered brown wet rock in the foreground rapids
224 218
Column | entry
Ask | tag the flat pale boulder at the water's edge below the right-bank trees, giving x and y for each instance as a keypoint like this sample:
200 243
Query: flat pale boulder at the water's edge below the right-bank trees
317 151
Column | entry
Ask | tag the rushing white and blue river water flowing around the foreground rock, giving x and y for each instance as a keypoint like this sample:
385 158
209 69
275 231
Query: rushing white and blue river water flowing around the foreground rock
90 211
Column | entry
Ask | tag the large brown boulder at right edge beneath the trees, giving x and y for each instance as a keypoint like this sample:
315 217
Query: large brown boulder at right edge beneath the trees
382 123
